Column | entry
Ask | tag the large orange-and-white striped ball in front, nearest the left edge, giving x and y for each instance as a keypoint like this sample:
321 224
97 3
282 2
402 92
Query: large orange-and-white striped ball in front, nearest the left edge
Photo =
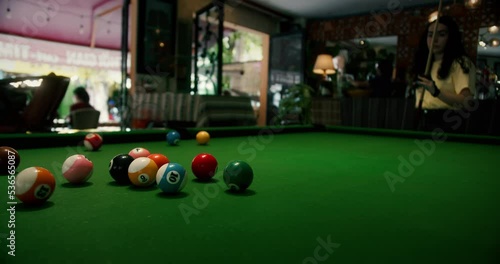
34 185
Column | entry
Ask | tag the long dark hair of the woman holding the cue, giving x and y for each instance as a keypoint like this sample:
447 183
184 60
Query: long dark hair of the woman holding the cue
453 51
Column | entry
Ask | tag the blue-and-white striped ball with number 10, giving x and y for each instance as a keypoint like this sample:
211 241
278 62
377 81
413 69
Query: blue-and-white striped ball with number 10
171 178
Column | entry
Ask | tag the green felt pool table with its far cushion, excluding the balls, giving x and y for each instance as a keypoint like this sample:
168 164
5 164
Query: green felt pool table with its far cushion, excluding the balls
319 195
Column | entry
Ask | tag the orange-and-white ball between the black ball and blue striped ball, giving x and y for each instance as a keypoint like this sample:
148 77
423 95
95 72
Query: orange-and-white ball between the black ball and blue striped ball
142 172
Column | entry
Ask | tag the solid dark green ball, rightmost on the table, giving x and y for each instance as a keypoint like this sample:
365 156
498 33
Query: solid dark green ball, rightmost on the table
238 175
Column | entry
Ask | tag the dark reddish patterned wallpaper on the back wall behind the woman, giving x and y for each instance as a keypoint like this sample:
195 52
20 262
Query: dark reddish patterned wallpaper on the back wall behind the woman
407 24
